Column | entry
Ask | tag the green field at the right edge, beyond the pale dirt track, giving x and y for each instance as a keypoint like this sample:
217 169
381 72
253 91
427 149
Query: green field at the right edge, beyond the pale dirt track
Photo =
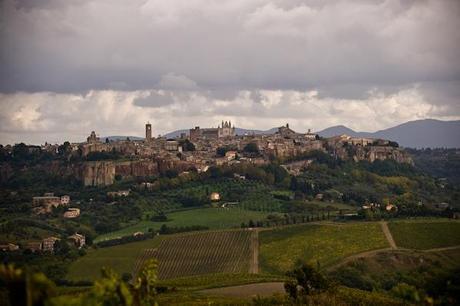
425 234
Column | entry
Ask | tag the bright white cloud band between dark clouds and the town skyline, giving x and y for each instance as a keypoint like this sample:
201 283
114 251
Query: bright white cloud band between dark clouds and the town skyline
54 117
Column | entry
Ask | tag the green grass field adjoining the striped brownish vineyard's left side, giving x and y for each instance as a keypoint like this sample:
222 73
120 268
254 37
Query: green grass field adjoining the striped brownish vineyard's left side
121 258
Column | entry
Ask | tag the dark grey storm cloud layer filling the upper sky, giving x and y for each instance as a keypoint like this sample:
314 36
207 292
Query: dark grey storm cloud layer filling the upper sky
68 46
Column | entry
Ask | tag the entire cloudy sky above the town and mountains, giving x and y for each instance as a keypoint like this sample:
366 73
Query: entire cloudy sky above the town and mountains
74 66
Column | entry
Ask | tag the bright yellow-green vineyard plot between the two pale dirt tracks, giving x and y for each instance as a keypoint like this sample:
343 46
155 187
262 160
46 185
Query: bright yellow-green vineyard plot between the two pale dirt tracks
281 249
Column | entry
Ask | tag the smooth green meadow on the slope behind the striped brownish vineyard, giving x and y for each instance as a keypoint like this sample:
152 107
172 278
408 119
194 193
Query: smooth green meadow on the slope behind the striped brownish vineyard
214 218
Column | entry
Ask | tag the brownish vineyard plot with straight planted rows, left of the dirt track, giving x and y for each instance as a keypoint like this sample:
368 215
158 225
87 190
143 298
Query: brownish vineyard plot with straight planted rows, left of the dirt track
203 253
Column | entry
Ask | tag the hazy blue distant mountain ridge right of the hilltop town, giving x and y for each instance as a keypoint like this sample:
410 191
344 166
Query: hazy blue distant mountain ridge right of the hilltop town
428 133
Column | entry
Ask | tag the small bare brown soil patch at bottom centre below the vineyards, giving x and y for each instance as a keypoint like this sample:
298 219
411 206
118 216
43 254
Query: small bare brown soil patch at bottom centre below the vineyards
250 290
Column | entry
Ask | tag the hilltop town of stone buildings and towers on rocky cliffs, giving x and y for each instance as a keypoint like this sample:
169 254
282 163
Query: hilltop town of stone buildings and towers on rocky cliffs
205 147
